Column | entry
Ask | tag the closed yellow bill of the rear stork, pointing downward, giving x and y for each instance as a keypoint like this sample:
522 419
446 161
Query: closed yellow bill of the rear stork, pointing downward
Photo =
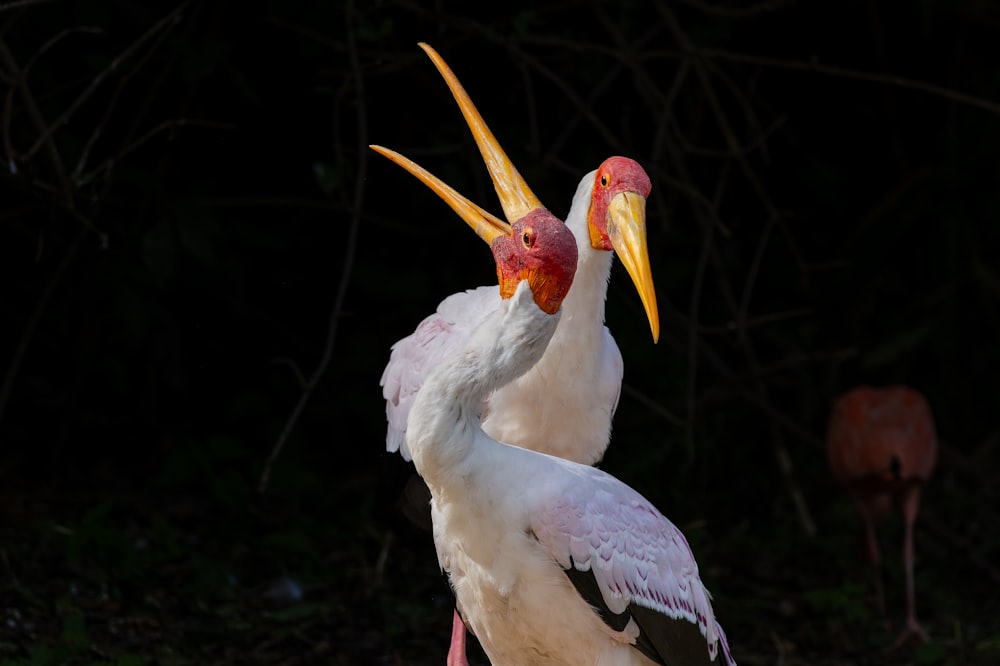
627 231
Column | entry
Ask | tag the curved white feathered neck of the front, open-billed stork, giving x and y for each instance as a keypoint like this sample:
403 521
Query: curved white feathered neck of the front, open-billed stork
444 422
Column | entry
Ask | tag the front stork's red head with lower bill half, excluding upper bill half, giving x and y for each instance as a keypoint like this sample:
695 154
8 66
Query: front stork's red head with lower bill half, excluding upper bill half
537 247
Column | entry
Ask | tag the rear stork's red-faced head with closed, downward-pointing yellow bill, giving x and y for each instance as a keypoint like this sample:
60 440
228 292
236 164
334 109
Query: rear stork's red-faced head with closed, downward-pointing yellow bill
617 221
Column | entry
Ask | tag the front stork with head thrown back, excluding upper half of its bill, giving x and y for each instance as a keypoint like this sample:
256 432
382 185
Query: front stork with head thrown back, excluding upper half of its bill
552 562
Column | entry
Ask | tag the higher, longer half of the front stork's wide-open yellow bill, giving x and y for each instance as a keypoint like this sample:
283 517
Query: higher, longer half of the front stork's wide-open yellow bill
516 197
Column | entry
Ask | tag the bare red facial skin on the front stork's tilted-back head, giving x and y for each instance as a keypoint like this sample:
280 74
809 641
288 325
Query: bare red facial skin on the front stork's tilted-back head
542 250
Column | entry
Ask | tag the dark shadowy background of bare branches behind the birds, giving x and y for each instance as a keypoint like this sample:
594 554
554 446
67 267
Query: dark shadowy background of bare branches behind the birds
197 243
